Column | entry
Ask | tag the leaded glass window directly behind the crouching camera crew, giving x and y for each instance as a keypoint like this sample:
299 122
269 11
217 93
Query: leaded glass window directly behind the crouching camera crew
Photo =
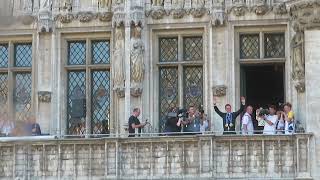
180 74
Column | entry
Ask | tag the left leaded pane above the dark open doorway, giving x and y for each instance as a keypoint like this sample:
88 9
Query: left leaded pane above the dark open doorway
249 46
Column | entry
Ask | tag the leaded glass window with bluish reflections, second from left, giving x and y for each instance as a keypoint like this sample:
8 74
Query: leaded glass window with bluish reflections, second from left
88 75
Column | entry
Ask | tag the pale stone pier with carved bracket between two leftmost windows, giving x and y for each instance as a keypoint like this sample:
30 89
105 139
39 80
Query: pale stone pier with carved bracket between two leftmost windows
44 68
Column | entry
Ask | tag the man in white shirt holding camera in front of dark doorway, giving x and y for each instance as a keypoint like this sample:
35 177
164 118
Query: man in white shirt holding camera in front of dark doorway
271 121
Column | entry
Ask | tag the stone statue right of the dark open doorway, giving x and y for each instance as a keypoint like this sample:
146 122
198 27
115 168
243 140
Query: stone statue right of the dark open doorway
298 54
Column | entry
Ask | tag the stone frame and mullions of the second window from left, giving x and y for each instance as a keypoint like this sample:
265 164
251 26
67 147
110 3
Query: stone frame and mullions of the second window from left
88 68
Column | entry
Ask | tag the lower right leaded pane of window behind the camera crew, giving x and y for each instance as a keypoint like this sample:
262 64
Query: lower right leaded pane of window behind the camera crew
193 87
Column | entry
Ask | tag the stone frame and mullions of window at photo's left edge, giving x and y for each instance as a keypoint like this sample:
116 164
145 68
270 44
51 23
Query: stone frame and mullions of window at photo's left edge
11 70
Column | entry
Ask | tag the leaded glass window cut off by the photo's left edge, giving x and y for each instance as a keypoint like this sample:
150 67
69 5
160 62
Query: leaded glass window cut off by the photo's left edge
15 80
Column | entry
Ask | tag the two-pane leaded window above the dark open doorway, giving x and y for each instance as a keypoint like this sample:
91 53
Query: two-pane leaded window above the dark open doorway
262 45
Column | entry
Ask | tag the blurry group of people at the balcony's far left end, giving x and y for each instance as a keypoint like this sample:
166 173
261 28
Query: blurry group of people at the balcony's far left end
9 128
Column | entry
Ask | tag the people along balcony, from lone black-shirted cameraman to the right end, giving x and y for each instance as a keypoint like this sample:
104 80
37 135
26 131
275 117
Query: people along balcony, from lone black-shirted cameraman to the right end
194 121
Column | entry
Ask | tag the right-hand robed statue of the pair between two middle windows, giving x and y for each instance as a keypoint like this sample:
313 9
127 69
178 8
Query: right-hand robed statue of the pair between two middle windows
137 55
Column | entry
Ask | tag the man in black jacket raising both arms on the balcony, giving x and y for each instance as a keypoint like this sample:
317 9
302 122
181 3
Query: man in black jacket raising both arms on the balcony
229 118
